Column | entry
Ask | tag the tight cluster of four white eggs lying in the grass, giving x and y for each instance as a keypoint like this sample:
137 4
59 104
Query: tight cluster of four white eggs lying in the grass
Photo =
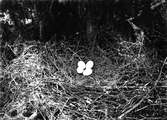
85 69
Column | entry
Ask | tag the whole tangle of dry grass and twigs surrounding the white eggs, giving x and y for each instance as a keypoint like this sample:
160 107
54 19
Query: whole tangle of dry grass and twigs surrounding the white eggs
38 81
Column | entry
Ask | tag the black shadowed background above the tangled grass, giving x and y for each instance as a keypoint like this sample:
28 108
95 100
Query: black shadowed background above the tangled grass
55 21
